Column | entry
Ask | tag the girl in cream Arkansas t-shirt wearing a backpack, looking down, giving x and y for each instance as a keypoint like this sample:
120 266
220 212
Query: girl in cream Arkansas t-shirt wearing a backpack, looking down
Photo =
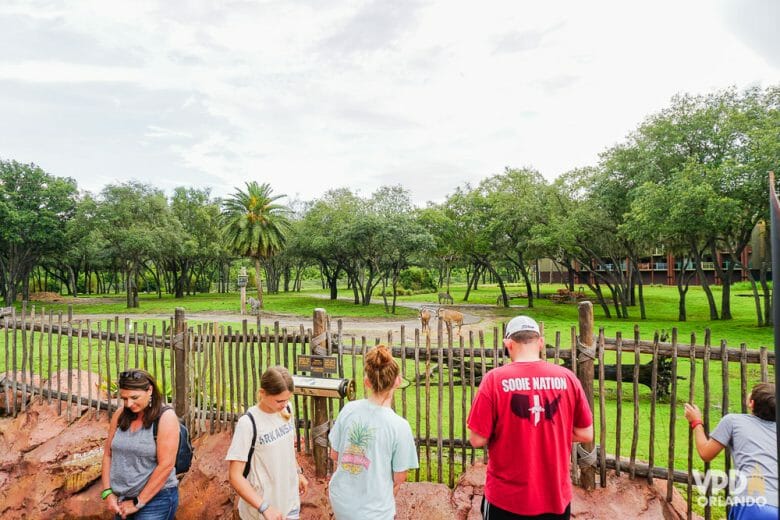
262 465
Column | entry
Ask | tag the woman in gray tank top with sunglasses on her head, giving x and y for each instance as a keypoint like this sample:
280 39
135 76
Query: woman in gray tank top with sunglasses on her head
139 479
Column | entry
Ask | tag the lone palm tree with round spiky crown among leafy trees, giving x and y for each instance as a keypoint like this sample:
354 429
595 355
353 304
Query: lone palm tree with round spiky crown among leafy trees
254 226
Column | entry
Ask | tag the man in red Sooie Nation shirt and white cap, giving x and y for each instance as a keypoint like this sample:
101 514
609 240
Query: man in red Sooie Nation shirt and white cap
528 413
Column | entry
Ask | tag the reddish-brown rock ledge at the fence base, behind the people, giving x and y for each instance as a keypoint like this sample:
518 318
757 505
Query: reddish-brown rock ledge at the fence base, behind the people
49 469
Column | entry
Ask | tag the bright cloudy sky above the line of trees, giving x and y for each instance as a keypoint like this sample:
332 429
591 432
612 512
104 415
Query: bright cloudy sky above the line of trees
317 94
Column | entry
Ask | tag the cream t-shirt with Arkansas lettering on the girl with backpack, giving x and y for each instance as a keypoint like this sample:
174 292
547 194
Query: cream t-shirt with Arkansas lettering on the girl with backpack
274 470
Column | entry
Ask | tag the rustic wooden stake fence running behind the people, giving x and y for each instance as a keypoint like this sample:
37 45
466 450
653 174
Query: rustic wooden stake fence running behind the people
638 385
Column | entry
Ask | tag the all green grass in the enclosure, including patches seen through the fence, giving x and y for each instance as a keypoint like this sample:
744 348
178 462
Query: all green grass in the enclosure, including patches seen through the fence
426 419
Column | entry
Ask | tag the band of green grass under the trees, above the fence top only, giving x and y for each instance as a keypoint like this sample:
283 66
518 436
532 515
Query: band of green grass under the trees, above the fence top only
661 303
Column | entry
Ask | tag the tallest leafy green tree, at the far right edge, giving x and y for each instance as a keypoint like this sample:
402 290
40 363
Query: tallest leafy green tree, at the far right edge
727 140
